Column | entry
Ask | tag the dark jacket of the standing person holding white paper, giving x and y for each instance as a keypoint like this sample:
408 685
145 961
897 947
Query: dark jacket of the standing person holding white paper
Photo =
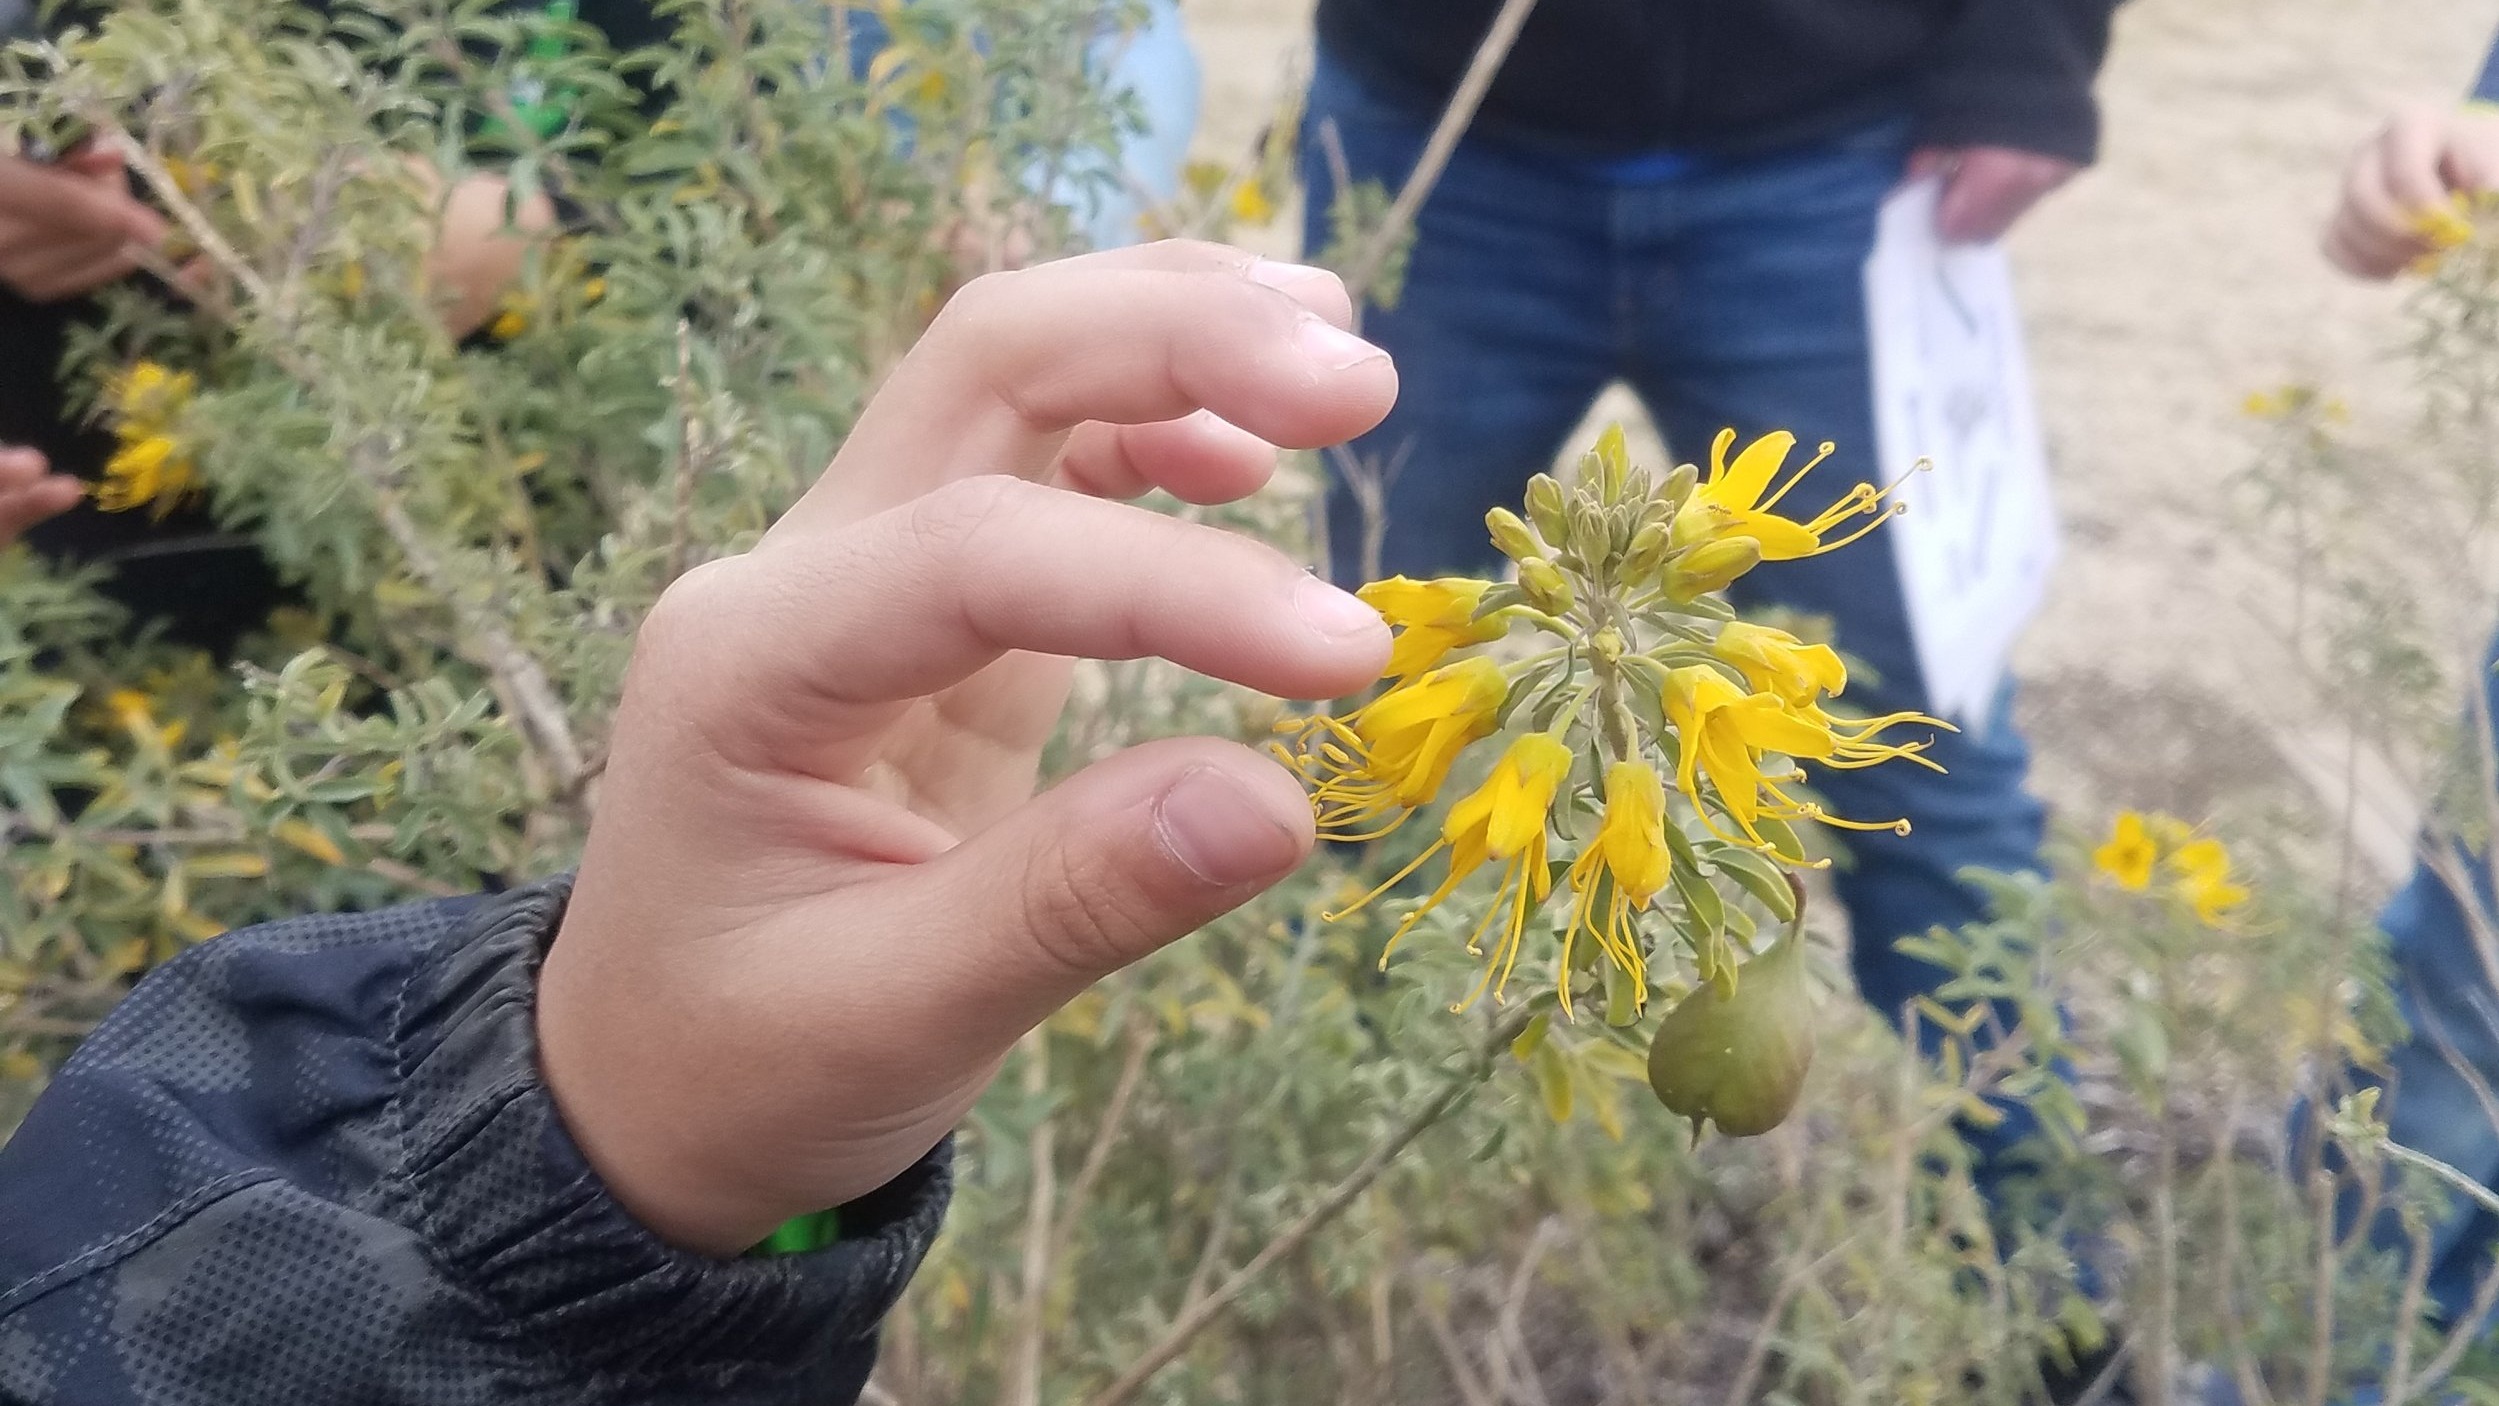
1736 76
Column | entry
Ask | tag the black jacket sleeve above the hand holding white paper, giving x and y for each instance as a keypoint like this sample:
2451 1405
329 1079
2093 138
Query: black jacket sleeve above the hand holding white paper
2018 74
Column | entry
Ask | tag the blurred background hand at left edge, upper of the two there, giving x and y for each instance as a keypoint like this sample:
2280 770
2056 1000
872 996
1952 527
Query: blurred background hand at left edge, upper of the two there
71 226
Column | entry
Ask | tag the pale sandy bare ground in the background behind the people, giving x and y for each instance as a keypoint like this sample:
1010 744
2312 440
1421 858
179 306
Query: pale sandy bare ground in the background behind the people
2163 288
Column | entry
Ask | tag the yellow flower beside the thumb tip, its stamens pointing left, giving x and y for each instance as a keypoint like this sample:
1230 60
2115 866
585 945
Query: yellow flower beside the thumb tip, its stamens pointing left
1391 758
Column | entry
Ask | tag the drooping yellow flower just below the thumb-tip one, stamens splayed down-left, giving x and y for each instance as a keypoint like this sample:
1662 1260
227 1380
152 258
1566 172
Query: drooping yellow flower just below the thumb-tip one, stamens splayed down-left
1503 820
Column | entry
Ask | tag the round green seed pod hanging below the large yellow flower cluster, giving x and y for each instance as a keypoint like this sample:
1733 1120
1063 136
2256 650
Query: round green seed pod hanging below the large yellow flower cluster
1741 1060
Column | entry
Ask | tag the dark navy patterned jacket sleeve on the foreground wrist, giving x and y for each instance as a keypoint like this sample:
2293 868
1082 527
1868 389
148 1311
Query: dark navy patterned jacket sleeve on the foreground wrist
314 1163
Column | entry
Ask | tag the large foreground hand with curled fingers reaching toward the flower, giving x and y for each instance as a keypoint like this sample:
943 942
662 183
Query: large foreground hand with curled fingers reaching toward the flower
821 900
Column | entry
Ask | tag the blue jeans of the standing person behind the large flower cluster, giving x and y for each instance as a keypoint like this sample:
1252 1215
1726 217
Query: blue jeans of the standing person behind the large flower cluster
1728 293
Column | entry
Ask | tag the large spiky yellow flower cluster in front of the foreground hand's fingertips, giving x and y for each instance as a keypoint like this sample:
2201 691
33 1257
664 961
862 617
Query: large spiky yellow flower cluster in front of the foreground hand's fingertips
1653 686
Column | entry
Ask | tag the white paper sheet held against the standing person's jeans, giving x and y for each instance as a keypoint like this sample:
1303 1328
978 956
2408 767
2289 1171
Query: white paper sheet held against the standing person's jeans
1953 386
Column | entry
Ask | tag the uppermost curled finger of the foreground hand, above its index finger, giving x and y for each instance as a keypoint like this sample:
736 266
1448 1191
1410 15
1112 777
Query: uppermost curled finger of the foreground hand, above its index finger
1128 338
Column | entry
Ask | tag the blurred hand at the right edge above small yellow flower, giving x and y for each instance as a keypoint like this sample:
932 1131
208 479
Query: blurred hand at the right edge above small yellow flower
2403 184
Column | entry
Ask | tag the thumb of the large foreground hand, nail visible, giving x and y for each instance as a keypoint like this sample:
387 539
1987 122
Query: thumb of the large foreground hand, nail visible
1113 865
